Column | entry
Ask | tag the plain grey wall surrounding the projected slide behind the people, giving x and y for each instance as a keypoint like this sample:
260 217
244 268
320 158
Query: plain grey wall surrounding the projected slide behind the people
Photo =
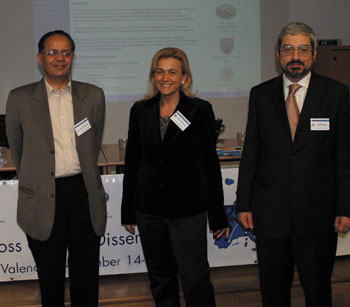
330 20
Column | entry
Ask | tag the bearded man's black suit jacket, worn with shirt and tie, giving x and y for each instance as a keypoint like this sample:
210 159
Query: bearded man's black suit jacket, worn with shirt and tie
302 184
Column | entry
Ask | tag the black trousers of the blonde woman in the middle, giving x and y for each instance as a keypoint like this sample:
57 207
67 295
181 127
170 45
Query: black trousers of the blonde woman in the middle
173 246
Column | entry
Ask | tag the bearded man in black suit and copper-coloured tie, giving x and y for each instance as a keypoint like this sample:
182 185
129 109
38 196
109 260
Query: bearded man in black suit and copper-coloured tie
294 177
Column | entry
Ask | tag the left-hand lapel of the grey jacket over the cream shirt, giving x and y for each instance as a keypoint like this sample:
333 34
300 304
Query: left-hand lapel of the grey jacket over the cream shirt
41 112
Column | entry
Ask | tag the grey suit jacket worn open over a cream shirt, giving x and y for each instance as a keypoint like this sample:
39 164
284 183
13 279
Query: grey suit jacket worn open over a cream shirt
29 131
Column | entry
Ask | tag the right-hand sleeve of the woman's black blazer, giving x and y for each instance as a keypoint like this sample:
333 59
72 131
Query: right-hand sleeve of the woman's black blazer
211 165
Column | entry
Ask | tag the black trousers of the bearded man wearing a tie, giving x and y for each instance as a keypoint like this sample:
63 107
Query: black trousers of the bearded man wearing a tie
314 260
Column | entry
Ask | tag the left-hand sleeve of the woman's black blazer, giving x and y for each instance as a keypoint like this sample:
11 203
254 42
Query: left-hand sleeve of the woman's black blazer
132 164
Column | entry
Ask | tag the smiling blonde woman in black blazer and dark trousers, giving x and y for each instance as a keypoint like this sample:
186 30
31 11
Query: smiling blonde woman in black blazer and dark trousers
172 182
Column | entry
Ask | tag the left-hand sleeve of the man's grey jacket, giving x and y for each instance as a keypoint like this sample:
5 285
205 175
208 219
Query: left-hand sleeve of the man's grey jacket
14 131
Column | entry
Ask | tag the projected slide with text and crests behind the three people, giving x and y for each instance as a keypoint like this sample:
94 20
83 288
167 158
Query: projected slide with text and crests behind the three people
116 40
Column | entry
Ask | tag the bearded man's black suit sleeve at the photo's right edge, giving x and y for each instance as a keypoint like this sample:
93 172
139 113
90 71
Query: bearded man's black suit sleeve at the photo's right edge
343 155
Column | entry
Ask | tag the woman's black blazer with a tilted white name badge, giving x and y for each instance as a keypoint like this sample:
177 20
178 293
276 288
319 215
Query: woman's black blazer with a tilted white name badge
179 176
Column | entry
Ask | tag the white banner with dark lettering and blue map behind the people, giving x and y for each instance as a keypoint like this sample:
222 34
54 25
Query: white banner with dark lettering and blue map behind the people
121 252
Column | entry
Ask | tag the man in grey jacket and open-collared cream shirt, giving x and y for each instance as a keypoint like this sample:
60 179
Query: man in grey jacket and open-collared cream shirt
54 128
